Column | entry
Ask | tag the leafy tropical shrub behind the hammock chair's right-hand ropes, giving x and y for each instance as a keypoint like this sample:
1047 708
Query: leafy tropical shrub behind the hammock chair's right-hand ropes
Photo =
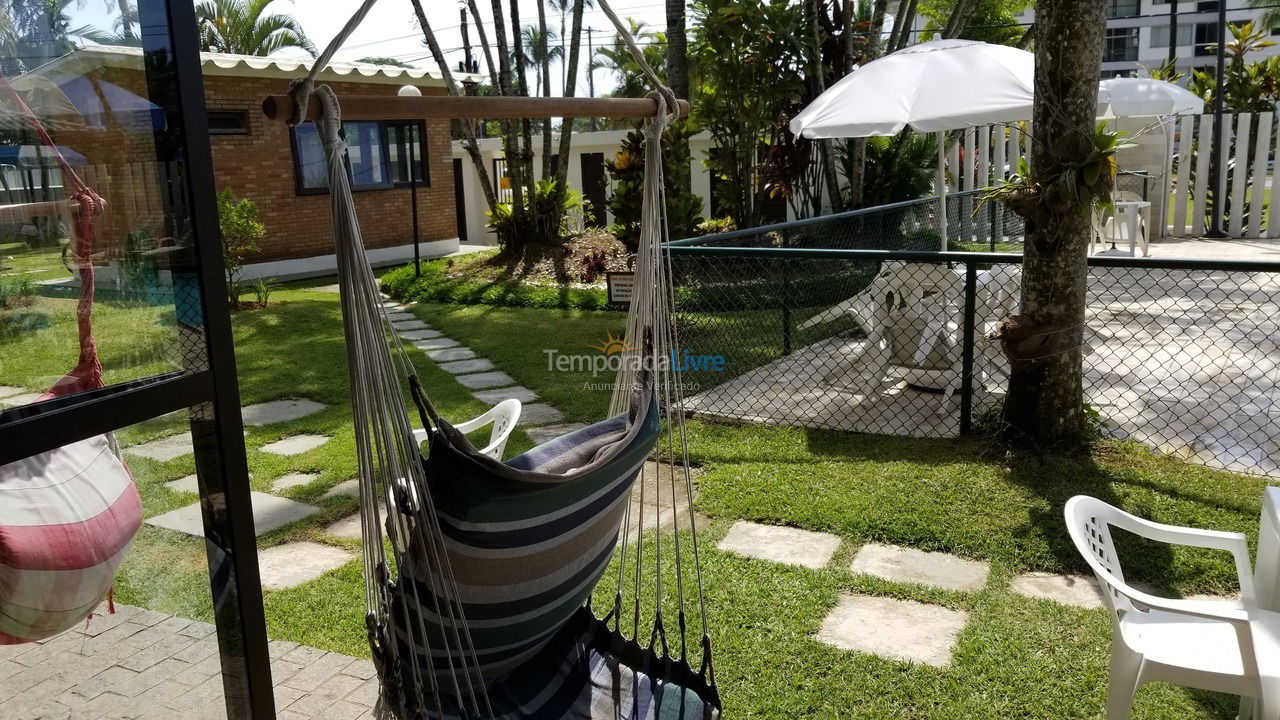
628 170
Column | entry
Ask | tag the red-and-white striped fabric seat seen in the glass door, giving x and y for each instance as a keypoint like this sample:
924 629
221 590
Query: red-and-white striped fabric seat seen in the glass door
67 518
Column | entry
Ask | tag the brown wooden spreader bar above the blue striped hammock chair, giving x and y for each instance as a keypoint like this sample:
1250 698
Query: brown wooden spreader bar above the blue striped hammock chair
451 107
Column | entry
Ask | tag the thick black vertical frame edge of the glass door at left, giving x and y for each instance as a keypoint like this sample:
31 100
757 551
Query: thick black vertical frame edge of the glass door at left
217 427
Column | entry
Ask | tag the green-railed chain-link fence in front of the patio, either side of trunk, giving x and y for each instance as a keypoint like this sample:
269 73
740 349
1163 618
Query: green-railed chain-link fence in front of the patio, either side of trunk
852 323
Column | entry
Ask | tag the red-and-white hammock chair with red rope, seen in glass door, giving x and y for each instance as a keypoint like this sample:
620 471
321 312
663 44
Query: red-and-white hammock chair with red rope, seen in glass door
68 516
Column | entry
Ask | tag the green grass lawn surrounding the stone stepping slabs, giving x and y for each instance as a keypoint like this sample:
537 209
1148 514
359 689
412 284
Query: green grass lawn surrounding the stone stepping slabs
1017 658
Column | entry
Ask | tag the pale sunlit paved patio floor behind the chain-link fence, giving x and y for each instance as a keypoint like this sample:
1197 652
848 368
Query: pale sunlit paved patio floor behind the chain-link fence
1185 362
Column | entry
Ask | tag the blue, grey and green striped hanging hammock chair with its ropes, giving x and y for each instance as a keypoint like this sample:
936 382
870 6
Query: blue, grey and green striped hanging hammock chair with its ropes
479 575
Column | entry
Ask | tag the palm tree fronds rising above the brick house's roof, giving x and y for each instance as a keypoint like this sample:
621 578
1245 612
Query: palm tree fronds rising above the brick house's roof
244 28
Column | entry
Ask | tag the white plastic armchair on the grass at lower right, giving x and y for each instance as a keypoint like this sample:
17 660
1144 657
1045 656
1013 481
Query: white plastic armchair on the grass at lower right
1206 645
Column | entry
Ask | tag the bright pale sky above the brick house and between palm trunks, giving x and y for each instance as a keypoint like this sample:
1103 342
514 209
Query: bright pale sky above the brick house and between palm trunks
391 29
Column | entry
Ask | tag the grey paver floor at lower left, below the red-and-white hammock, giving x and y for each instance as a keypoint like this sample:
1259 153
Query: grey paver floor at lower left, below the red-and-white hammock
138 664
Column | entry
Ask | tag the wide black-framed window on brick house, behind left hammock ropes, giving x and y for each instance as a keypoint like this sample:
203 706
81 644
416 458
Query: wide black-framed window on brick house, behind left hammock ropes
367 152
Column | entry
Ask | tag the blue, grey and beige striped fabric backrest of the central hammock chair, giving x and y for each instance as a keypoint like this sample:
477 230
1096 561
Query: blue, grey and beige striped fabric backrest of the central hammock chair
527 546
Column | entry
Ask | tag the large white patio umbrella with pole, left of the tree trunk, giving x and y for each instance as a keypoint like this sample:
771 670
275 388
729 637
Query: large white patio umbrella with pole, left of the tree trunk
934 86
